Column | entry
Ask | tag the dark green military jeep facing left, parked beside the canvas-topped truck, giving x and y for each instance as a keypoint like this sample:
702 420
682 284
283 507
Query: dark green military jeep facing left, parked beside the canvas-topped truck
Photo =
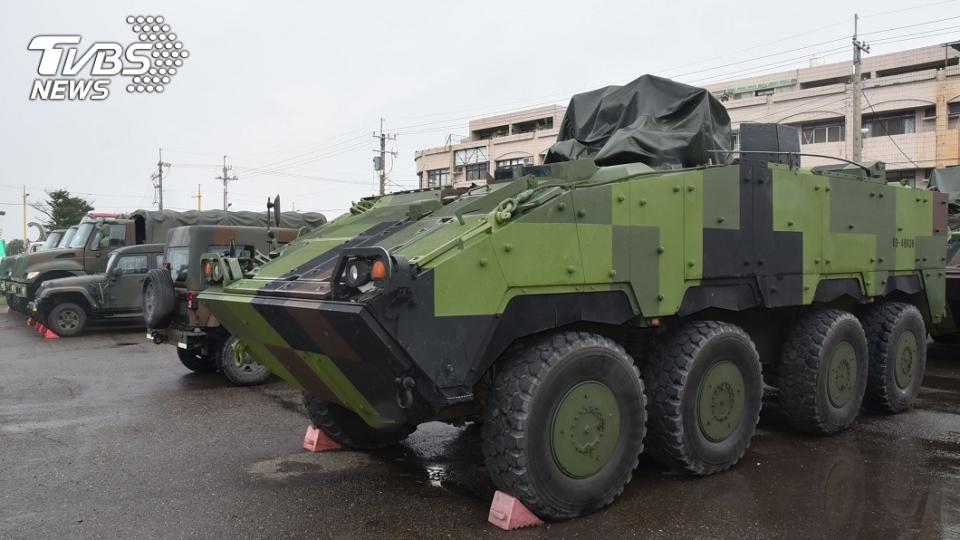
68 305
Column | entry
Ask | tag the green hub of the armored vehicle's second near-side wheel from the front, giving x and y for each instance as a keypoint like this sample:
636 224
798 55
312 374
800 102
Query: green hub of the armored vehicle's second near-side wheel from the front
720 401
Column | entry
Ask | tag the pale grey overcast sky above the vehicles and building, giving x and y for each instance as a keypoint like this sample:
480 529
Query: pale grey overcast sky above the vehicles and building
297 88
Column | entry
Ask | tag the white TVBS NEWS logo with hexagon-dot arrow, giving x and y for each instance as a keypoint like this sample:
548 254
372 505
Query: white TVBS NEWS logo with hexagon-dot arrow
146 65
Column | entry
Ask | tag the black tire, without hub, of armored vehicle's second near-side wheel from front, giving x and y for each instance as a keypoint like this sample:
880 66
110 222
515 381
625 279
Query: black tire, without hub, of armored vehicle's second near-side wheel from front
681 361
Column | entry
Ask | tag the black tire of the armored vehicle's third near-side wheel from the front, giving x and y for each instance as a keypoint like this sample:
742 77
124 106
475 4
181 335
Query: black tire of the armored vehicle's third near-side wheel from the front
803 371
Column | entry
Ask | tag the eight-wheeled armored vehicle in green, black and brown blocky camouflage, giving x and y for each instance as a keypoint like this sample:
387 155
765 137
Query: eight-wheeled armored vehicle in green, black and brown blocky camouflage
633 294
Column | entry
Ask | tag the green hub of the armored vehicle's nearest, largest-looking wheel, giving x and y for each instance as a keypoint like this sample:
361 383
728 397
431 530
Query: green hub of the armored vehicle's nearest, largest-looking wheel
585 429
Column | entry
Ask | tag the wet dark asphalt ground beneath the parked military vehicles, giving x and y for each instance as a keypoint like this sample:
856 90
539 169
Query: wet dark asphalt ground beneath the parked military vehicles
107 435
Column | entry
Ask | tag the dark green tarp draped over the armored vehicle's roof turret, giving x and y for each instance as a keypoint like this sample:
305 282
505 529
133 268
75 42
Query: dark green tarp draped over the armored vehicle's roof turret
651 120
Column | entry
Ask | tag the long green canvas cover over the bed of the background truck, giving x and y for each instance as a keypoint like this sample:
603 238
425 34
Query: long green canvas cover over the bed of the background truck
157 223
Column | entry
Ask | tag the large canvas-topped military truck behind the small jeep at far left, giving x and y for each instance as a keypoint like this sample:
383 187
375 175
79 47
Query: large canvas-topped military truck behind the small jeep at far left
95 239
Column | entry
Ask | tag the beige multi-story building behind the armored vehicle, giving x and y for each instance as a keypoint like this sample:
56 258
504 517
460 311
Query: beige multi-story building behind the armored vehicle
910 115
